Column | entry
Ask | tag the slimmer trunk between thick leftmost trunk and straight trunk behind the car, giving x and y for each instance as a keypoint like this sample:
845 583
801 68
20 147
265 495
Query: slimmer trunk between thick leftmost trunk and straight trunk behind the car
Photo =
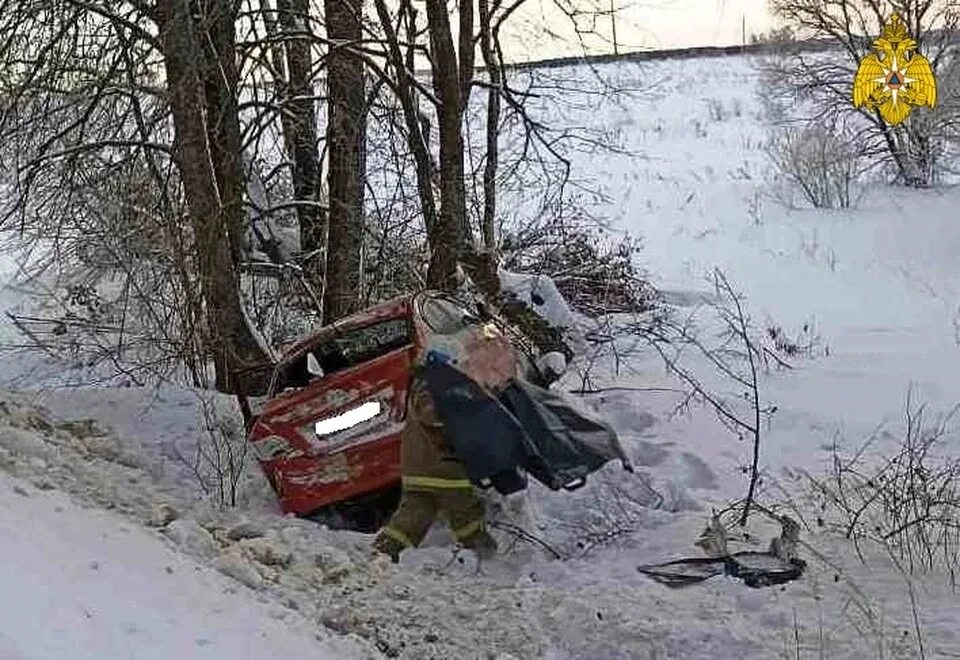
300 132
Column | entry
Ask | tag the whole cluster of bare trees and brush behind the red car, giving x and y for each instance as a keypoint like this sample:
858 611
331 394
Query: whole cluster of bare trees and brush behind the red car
177 167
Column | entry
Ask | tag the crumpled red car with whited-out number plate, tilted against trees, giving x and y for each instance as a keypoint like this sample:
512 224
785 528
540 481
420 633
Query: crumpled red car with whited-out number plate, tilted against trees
328 437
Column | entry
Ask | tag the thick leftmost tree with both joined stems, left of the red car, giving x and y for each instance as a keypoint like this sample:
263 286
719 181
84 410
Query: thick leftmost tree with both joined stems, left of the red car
202 88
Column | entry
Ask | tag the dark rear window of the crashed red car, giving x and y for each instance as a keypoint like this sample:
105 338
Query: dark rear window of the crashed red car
348 349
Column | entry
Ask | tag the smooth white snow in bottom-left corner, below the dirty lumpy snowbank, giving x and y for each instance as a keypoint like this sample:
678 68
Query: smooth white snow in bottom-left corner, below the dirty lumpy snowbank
85 583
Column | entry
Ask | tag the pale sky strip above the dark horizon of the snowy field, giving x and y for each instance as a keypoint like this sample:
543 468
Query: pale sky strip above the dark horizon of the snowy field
640 24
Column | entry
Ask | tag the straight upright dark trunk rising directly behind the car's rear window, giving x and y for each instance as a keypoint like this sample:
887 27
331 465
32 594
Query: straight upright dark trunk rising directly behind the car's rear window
346 133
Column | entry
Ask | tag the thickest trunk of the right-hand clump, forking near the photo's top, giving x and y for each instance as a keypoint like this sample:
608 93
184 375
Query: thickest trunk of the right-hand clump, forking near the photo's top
451 80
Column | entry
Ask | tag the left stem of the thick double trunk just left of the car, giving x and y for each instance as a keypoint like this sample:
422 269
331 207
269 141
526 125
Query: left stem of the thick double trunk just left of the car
231 338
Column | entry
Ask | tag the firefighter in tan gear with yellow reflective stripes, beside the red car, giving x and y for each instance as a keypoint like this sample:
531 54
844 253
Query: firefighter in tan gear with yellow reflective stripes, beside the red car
433 483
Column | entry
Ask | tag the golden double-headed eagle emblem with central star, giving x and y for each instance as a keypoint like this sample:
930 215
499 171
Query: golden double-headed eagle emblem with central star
895 77
